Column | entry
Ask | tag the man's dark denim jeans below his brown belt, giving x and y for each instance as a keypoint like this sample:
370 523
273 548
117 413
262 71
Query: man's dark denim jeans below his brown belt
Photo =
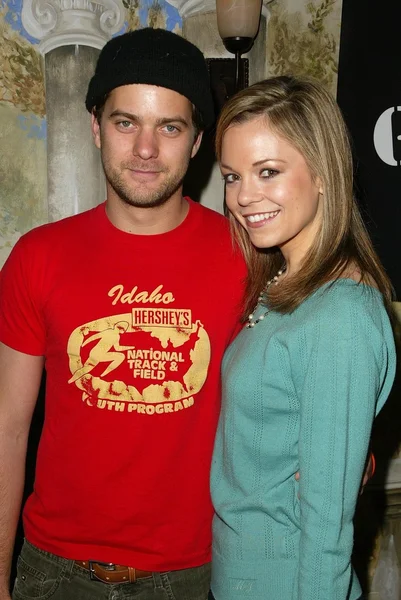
41 575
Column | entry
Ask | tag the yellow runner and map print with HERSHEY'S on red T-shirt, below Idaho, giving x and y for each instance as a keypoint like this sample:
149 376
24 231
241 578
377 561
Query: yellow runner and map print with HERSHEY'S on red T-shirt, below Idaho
153 360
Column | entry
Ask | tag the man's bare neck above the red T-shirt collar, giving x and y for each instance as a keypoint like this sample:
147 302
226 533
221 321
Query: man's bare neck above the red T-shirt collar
147 221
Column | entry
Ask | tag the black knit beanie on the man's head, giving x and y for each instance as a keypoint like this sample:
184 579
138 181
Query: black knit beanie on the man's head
154 57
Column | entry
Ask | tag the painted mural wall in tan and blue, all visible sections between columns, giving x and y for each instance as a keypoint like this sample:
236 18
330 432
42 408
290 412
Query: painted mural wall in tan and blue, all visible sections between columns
303 37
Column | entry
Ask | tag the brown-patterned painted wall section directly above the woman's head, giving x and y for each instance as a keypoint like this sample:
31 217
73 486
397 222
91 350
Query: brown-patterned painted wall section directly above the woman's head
303 39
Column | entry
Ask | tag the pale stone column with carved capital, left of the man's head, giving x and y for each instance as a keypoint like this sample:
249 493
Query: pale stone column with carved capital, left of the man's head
71 33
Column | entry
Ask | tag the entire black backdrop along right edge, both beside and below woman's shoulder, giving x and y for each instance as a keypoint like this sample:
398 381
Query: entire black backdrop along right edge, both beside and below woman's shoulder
369 94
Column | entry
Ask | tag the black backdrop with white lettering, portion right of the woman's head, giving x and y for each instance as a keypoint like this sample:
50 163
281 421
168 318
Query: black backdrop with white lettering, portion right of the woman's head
369 92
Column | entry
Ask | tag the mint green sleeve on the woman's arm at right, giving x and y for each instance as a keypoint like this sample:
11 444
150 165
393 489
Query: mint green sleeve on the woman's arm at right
344 362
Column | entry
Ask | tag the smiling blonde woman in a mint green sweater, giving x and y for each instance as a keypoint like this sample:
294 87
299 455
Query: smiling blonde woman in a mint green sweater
315 360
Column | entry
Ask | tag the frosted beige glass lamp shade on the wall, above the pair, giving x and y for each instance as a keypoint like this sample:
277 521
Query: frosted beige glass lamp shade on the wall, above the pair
238 18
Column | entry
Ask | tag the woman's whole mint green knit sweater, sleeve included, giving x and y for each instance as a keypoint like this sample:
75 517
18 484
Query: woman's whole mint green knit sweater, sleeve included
300 392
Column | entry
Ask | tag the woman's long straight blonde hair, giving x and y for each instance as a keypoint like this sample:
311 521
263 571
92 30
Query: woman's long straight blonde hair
305 114
